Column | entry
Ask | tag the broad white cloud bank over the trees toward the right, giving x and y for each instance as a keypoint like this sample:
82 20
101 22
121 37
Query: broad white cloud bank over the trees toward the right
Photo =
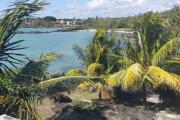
115 8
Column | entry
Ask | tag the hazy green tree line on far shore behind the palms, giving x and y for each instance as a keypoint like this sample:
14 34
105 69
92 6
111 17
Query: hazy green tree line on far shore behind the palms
171 16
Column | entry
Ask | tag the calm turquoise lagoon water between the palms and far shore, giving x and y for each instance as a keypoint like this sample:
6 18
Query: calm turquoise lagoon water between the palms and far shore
60 42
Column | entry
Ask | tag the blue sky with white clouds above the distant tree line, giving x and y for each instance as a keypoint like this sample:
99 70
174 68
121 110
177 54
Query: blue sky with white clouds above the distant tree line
101 8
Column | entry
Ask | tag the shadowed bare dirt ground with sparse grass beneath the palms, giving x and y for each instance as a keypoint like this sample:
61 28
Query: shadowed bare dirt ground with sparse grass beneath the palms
85 106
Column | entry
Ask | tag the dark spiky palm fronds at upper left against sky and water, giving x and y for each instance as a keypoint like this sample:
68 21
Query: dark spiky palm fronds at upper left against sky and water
12 20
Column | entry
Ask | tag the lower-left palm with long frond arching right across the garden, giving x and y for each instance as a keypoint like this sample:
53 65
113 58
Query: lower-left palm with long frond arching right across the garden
27 88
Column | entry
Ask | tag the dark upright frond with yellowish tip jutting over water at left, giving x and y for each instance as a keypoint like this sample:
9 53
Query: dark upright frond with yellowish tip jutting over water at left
35 70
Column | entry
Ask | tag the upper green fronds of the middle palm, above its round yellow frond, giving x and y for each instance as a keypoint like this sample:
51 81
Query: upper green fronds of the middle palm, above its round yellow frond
99 50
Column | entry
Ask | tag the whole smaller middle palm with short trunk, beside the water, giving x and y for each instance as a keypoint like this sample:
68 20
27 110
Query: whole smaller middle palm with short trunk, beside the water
99 58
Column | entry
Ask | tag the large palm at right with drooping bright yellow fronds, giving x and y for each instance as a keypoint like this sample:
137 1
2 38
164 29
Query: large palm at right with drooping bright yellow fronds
145 59
